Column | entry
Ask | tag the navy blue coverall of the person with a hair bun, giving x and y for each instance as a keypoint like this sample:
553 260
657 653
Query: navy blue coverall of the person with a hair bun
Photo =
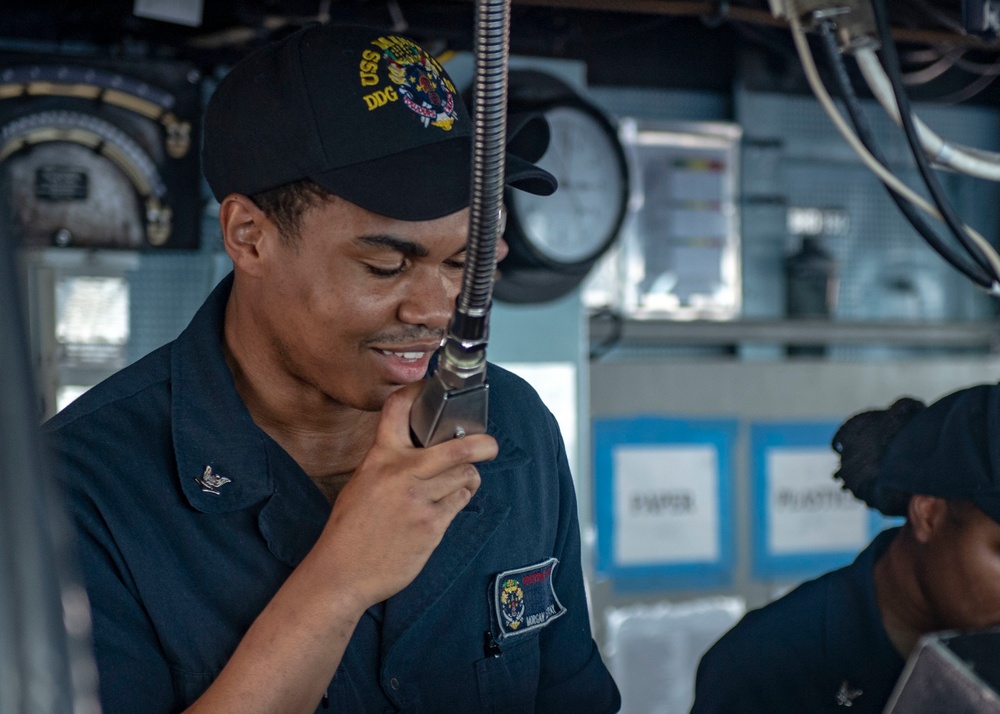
820 648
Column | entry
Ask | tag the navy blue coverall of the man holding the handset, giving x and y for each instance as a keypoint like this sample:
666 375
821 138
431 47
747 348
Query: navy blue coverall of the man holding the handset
176 573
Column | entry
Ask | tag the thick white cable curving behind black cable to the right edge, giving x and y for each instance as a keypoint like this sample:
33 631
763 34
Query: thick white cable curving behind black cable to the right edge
967 160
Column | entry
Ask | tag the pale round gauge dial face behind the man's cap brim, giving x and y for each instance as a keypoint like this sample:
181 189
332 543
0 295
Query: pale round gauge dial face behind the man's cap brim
582 216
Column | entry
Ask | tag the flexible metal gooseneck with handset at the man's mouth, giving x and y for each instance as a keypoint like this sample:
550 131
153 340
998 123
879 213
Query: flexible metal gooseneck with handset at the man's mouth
454 400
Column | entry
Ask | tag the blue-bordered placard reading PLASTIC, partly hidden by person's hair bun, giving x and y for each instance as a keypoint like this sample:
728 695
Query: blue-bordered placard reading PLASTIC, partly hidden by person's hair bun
803 522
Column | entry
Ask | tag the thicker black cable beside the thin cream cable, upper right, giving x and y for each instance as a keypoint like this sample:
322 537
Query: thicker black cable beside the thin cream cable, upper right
864 131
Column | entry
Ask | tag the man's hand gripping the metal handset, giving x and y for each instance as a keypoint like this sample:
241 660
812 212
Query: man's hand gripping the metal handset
393 512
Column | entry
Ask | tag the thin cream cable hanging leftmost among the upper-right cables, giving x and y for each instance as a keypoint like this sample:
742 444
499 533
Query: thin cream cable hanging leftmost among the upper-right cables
890 179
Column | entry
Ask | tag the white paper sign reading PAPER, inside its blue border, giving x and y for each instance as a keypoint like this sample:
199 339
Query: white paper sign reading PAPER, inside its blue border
666 501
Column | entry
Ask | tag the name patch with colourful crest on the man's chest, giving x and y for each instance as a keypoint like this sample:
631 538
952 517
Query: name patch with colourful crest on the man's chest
525 599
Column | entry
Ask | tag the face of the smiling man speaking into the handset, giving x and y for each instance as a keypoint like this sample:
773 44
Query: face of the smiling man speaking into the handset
362 301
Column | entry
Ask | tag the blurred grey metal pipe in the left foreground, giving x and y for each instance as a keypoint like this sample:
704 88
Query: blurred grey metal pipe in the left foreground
46 666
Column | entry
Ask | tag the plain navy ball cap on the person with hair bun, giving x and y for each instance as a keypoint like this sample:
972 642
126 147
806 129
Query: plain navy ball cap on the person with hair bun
951 450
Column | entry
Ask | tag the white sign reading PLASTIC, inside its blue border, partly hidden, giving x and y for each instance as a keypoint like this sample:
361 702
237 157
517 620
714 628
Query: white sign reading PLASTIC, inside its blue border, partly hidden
807 511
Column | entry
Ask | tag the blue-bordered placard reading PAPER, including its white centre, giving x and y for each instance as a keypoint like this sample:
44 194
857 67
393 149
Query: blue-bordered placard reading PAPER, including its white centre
663 495
